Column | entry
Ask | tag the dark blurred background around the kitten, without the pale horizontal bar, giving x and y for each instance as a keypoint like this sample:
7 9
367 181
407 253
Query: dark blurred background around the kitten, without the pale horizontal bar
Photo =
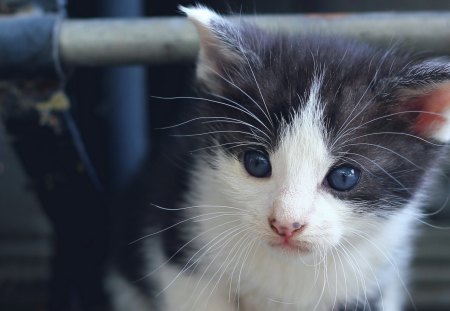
58 171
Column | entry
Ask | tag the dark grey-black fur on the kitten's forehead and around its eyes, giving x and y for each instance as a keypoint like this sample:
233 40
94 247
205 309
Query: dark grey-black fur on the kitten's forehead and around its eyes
353 74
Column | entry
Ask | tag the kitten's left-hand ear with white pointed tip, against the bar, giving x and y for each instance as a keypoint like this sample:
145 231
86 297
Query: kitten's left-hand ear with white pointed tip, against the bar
223 48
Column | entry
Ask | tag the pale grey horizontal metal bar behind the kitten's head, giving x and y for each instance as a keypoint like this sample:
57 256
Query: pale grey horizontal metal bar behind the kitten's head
173 39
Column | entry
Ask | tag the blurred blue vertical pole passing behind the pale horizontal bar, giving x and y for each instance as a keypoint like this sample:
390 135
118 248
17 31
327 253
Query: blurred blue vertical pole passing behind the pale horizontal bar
125 94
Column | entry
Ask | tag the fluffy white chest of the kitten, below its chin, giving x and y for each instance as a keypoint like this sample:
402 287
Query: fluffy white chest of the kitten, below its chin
269 283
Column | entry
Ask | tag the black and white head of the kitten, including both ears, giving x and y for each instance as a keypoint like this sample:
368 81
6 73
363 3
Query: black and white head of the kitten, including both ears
319 140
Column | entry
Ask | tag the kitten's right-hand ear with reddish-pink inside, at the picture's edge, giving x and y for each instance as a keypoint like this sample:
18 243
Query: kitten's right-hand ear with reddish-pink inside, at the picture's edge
425 88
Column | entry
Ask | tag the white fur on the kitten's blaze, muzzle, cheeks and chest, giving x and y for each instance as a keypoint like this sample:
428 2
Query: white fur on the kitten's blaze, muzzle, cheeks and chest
268 278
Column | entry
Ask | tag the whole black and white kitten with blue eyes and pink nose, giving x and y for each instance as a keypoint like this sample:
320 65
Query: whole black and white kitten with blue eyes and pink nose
306 161
